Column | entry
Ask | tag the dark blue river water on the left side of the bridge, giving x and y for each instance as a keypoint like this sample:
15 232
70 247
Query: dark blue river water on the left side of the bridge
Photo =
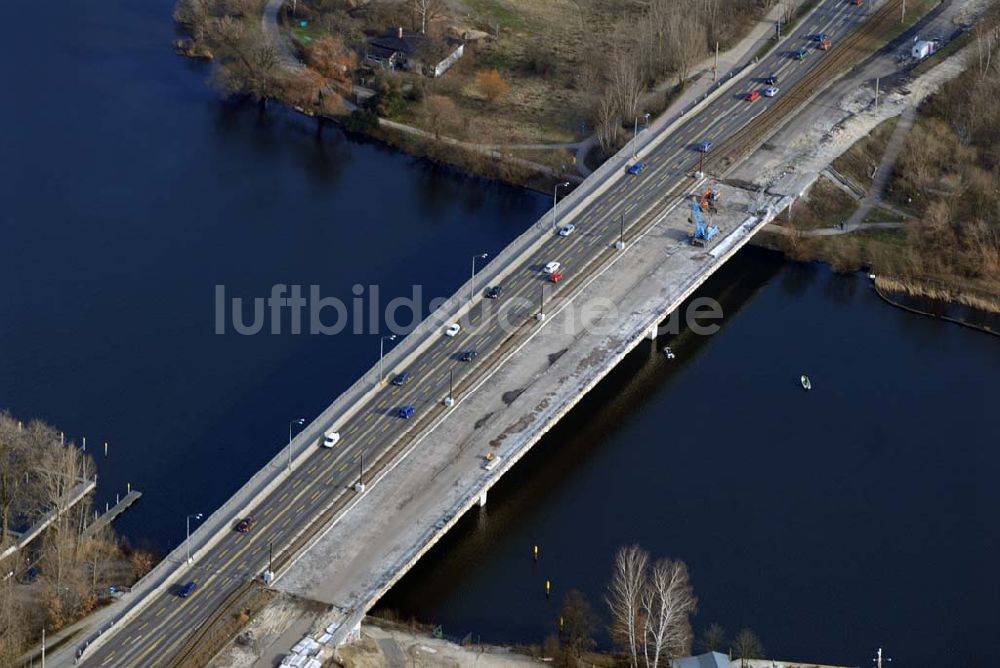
128 192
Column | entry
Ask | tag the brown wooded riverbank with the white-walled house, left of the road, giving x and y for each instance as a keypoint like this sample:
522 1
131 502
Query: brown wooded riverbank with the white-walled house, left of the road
446 119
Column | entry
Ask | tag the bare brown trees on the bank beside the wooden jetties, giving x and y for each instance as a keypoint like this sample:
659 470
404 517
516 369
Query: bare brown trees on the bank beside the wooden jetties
38 473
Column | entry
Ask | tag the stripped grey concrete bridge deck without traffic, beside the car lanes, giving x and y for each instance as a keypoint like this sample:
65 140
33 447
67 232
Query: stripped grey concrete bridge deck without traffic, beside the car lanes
367 551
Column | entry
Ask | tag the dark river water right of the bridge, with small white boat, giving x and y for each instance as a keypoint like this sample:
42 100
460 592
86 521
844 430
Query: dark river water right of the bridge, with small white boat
858 515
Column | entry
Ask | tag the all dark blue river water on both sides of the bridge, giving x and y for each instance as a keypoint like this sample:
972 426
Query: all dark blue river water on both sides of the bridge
861 513
